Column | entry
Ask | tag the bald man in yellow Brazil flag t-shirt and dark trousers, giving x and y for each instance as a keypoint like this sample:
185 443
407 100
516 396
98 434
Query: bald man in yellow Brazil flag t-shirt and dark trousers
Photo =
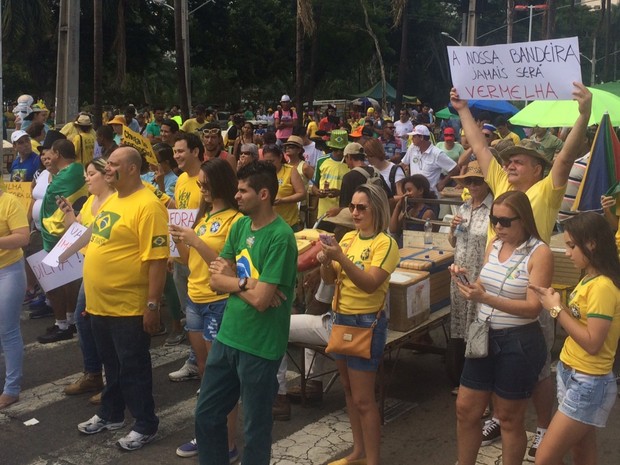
129 243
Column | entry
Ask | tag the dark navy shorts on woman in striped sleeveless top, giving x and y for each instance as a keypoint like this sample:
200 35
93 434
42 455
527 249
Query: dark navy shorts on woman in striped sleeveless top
516 356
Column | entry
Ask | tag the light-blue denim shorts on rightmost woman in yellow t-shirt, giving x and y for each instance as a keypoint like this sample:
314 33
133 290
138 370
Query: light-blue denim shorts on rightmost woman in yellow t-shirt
585 398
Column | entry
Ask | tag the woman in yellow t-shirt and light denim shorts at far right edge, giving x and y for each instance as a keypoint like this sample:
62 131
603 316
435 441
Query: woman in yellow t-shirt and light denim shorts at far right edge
585 379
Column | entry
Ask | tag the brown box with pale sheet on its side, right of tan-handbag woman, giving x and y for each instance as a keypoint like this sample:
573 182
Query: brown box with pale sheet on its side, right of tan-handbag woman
409 299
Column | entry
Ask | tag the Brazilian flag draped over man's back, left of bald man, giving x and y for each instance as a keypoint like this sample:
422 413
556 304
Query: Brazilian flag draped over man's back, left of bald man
68 183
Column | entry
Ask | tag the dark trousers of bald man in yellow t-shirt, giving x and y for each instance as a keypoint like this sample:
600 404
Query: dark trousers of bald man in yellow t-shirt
124 349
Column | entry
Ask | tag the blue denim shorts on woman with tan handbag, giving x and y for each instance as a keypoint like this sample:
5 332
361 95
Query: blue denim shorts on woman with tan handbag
379 336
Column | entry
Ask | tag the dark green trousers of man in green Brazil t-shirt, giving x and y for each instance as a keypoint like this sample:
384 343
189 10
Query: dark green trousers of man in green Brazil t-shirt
230 374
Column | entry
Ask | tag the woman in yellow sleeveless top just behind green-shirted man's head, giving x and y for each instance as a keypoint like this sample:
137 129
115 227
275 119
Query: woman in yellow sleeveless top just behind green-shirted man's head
290 186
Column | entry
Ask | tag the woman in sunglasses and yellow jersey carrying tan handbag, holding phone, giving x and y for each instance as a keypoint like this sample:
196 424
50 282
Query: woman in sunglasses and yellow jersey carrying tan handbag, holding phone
361 266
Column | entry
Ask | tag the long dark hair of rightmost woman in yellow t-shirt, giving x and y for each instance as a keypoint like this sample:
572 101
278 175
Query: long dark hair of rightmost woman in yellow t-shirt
592 234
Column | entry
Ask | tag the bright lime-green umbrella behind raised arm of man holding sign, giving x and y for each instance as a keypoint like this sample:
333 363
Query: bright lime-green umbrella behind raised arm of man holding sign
564 113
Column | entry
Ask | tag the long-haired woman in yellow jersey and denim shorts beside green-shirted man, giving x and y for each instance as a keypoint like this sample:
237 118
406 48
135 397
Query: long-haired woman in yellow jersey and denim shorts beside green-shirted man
198 247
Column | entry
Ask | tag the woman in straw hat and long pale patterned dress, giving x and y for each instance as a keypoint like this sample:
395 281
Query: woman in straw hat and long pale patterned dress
468 236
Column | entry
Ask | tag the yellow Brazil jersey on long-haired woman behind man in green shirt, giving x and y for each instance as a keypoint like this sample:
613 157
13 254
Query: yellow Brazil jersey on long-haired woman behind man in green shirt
213 231
